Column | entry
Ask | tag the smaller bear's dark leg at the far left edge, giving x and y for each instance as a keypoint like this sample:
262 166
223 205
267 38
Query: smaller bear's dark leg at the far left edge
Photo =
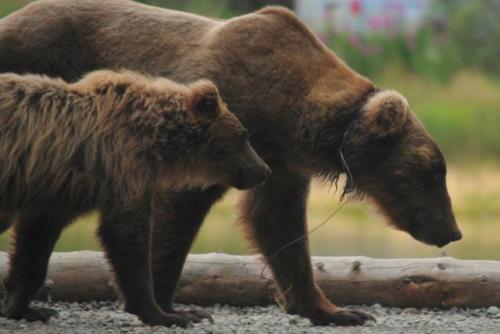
33 241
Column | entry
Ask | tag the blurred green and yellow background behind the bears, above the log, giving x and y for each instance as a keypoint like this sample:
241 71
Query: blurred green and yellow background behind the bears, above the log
444 56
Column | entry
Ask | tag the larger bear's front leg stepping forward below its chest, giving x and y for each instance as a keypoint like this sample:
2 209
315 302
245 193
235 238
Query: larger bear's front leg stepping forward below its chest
274 215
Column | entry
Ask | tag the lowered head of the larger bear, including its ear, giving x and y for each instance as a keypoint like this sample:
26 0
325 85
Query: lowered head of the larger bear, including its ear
405 172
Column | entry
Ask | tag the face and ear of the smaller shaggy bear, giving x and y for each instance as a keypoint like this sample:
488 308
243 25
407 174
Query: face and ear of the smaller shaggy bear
226 155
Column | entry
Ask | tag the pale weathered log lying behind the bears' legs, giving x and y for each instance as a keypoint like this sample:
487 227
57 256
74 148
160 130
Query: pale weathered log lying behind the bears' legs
243 280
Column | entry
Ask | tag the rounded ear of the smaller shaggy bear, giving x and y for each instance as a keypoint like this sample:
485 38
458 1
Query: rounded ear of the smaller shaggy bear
206 100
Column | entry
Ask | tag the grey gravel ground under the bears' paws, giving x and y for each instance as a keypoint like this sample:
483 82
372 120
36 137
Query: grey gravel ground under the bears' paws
106 317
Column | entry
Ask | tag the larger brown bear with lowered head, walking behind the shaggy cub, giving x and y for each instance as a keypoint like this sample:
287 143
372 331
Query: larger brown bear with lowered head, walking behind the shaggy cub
308 115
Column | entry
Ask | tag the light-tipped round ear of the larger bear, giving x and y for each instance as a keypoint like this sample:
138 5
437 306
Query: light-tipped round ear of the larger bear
386 113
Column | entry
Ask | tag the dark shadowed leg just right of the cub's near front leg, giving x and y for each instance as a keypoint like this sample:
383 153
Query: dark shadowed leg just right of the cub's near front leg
177 217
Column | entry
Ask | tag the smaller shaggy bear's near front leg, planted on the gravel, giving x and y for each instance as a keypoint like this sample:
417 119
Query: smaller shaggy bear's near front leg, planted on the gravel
125 235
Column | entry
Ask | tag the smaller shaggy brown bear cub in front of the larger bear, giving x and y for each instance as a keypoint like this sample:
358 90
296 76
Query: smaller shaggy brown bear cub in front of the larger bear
107 142
